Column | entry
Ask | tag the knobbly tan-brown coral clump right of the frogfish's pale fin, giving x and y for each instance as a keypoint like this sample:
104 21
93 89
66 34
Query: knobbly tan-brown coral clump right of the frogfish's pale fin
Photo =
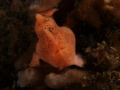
106 56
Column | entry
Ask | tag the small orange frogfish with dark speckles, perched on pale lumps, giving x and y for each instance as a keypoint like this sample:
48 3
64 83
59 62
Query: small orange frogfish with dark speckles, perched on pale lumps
56 45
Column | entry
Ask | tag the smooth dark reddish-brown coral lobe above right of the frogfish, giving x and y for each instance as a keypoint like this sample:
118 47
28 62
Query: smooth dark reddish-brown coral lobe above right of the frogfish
88 12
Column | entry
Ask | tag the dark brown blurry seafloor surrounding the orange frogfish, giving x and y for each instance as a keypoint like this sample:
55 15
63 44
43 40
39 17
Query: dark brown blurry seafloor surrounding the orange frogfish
97 40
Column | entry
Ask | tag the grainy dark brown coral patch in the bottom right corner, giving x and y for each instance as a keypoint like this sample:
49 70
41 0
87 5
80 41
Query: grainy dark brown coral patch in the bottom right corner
106 80
